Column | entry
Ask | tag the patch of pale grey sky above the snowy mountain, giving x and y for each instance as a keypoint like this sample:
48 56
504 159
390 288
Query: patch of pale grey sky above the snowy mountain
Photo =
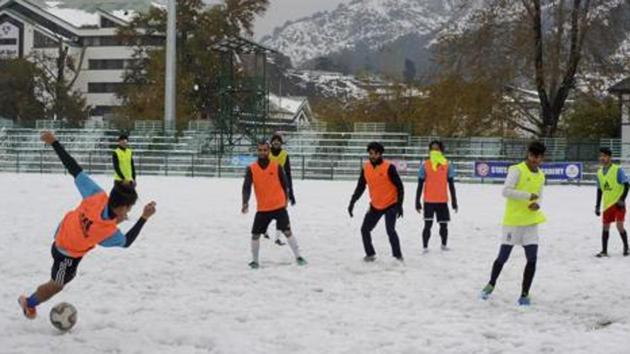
281 11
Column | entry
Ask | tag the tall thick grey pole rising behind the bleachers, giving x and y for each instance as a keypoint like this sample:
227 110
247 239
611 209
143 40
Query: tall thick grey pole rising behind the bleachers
171 67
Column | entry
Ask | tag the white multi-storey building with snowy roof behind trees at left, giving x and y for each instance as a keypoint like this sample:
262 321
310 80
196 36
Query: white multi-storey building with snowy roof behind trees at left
97 58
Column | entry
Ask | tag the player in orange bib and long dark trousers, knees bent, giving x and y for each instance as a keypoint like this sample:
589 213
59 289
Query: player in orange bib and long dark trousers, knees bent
386 198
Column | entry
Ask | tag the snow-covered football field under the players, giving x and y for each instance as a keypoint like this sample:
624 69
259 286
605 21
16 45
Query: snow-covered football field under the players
185 287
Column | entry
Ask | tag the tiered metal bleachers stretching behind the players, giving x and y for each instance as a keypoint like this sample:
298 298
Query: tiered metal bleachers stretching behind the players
313 154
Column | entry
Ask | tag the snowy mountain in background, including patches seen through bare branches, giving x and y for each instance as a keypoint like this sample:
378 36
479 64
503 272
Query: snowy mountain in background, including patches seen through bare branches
381 35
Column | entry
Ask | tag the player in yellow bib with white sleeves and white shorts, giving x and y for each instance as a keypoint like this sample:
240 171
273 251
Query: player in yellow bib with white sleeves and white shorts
523 190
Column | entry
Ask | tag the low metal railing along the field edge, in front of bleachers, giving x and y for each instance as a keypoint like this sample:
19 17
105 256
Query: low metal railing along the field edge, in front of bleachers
198 165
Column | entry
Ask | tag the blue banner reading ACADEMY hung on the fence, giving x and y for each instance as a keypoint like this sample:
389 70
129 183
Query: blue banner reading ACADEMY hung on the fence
558 171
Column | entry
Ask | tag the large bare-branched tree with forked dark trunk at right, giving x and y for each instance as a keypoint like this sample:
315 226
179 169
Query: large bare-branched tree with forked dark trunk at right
557 49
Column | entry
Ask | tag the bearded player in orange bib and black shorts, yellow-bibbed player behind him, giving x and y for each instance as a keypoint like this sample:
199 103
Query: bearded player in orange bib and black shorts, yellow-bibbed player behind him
271 189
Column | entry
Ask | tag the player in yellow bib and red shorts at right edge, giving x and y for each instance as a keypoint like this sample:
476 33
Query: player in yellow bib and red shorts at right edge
612 185
